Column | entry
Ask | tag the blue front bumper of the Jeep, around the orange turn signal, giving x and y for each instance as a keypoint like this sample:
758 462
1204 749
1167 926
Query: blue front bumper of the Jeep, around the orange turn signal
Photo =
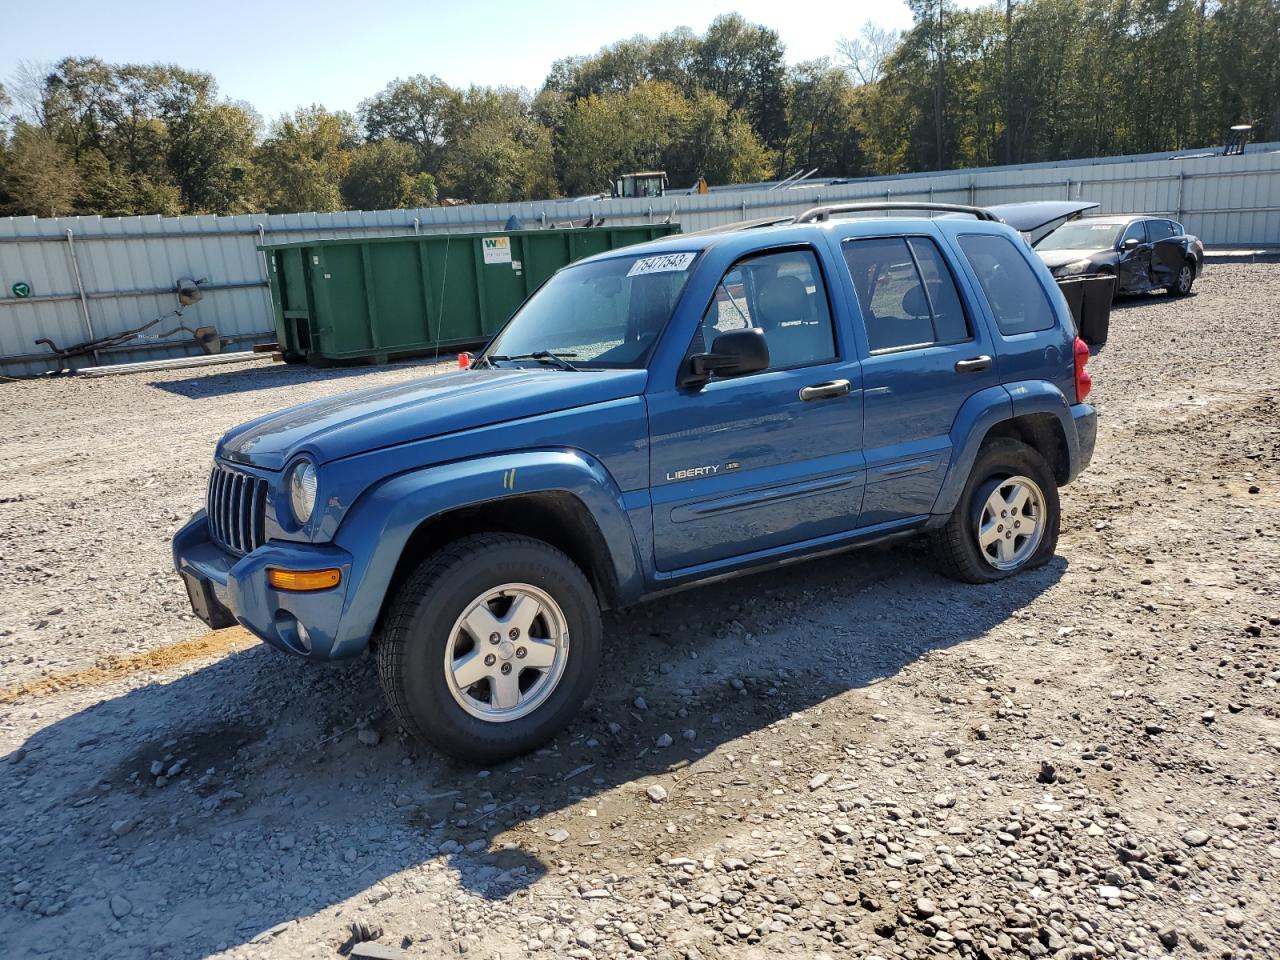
226 589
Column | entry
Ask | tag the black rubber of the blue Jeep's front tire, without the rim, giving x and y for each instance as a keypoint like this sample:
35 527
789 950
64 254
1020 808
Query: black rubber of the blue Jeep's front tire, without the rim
412 650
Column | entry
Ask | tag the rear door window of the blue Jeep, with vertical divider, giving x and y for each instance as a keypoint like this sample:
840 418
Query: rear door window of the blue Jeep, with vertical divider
907 294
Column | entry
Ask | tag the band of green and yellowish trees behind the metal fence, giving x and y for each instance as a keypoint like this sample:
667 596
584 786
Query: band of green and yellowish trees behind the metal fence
1003 83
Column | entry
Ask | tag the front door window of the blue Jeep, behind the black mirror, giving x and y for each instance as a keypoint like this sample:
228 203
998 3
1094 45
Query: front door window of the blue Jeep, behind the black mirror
781 294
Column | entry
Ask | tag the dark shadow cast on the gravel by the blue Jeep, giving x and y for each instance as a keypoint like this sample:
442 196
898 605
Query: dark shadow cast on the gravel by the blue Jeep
190 817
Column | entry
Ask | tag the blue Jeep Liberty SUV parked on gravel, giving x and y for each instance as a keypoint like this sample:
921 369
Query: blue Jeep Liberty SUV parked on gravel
653 418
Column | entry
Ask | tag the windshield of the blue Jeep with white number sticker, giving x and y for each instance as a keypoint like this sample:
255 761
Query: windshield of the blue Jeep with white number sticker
605 314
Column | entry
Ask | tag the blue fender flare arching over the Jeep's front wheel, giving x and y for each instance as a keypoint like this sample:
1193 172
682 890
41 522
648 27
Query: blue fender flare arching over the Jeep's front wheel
378 527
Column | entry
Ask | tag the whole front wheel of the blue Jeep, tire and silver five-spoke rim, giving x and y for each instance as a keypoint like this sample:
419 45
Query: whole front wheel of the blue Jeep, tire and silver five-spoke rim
491 647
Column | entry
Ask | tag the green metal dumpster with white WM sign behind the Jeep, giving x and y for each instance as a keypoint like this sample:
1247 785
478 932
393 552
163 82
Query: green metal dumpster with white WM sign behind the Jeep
371 300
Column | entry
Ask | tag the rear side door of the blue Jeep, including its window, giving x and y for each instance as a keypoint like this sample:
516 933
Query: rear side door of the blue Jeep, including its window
926 358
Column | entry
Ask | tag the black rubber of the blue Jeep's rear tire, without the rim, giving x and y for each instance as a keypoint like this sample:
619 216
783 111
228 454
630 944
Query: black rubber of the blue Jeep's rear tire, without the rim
957 543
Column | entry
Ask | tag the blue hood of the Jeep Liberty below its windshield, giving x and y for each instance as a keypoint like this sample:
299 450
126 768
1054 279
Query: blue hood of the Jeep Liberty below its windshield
355 423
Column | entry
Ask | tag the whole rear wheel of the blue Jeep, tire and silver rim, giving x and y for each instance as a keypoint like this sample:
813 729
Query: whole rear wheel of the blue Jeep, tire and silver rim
1008 516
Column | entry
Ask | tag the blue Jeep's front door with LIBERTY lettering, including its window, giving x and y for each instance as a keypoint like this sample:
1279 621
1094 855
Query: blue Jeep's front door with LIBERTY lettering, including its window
762 461
